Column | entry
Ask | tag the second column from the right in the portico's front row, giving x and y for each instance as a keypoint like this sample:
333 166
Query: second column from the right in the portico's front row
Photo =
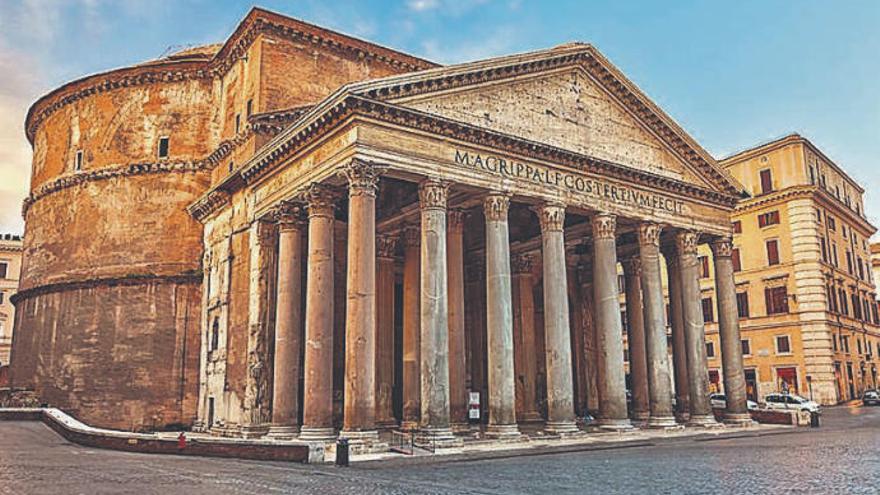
695 335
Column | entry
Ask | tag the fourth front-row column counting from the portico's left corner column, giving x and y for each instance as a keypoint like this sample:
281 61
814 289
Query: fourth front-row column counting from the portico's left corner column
557 330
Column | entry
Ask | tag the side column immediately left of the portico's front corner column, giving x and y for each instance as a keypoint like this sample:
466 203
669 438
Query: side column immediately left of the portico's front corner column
318 361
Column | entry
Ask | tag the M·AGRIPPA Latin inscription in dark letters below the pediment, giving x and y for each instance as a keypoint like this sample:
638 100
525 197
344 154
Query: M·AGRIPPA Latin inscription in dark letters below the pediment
555 178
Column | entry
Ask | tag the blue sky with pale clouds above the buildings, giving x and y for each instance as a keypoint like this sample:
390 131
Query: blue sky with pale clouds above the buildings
733 74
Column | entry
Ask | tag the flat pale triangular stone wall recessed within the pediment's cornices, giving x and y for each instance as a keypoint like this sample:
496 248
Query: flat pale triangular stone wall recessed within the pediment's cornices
565 109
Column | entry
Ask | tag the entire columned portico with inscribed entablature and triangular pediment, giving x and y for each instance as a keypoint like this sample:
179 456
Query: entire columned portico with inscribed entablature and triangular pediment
475 259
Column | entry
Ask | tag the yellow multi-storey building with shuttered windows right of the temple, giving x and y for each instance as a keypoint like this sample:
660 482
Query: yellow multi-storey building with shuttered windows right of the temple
805 288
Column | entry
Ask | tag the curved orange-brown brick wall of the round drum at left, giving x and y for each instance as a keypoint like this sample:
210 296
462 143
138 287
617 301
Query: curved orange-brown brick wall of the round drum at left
109 303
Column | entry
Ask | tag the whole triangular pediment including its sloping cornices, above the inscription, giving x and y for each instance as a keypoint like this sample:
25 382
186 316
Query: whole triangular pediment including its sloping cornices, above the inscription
568 97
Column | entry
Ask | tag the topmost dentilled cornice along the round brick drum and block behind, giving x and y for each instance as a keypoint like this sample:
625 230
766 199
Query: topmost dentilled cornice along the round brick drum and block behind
258 21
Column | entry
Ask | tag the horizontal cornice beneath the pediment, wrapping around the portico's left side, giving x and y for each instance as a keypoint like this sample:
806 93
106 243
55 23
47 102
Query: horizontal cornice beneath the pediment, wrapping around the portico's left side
301 135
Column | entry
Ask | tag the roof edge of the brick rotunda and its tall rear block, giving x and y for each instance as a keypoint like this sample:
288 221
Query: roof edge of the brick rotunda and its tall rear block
208 64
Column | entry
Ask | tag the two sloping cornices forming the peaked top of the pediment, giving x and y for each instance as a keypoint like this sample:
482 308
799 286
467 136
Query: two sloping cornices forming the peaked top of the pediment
597 66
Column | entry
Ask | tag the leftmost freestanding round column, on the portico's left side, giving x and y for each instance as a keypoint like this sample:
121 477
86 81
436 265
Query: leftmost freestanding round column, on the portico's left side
288 326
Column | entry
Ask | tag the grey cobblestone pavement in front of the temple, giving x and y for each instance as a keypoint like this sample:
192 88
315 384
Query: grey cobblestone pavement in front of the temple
841 457
